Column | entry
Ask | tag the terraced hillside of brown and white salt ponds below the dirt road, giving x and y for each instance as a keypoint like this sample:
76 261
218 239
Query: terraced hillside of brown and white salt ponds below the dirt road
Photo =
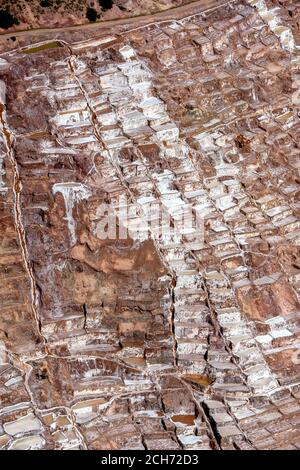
155 342
